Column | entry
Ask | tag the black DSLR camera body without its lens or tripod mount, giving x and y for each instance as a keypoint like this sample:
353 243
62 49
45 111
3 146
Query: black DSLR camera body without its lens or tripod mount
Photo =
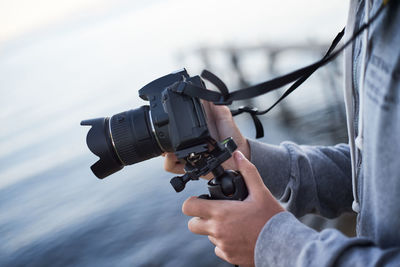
179 121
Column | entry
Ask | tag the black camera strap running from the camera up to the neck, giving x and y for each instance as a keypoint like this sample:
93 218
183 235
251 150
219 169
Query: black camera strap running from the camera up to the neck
224 97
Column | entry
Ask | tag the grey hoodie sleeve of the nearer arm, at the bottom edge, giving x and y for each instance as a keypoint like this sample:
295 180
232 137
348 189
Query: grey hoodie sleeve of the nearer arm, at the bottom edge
284 241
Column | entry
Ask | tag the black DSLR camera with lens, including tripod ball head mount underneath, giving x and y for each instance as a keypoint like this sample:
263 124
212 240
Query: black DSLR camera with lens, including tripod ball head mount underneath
172 122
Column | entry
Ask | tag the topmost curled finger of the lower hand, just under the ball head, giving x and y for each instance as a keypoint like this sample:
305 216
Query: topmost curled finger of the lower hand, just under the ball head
197 207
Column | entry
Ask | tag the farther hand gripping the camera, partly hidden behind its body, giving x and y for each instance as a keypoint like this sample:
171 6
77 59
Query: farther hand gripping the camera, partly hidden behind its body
221 125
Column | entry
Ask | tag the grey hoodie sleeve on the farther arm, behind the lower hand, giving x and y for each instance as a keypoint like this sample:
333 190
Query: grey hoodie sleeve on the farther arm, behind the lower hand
310 179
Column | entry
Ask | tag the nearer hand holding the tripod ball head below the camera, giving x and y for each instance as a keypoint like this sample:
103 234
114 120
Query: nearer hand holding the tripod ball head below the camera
233 226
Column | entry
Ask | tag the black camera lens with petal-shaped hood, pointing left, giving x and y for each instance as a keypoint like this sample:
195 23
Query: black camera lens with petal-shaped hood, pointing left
124 139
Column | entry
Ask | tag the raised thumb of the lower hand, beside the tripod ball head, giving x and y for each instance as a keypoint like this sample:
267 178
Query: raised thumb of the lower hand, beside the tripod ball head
252 178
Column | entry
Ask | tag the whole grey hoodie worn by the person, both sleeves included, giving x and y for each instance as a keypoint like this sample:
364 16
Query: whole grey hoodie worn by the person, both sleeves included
363 175
